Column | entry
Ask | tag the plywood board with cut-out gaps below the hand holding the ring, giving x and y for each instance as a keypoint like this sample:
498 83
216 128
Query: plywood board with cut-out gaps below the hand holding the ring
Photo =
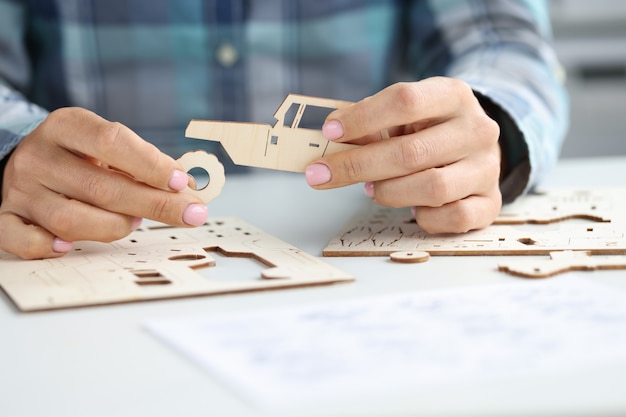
160 262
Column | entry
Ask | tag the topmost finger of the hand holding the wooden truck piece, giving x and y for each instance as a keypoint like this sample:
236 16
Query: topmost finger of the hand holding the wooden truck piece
426 101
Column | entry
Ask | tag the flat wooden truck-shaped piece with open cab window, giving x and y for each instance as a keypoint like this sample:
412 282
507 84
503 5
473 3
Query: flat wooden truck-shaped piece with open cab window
292 143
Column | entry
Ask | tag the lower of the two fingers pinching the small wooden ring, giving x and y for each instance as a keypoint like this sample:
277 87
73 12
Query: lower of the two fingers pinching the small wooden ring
115 192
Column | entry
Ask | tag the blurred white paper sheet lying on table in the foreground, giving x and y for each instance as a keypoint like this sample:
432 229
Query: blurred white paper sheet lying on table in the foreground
406 341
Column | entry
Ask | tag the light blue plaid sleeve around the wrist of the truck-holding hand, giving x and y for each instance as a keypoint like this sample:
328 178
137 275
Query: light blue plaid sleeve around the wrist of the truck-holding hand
503 50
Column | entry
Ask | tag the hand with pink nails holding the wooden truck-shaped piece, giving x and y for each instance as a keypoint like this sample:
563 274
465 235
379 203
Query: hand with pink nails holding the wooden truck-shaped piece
442 155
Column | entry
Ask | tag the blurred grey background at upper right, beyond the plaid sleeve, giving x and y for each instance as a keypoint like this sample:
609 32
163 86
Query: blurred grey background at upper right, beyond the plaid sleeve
590 39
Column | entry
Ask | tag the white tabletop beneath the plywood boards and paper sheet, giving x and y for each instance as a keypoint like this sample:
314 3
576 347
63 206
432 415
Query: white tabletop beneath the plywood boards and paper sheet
100 361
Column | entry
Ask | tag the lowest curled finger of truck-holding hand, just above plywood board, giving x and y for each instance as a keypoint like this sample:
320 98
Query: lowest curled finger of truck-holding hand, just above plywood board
460 216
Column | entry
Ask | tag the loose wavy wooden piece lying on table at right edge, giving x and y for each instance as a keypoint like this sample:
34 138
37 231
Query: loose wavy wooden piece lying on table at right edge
561 262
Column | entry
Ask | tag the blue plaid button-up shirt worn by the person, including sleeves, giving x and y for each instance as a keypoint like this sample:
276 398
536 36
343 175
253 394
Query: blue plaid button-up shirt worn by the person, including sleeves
155 64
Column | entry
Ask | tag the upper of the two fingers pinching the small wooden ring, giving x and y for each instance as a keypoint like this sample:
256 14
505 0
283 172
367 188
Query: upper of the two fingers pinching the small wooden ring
115 145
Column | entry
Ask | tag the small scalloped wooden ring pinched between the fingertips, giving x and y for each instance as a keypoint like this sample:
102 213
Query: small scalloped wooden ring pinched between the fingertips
214 168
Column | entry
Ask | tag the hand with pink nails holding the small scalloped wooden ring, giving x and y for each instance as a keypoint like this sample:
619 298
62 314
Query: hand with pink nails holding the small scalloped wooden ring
80 177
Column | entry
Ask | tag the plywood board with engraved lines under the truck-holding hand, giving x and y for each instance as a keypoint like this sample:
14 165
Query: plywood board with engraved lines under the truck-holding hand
538 224
